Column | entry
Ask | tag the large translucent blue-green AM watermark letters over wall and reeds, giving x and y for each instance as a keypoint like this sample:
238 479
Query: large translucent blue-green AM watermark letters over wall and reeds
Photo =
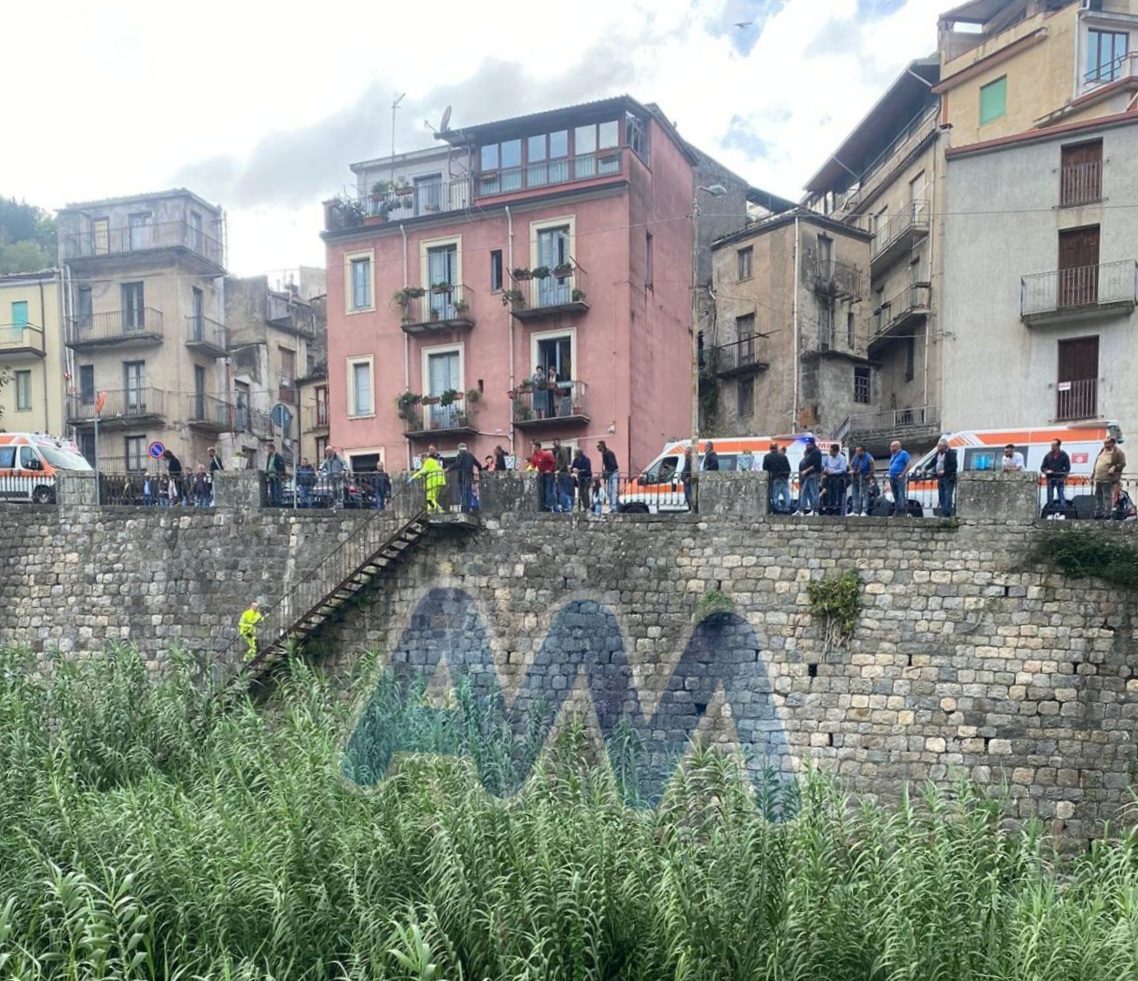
584 646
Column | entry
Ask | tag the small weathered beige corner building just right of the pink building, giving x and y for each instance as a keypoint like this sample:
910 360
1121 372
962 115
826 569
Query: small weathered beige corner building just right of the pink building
791 328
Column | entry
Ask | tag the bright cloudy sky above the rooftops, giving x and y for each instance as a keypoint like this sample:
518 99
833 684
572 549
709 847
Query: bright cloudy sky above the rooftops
261 108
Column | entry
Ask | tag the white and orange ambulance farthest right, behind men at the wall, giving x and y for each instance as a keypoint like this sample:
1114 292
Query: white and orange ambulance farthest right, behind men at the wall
983 450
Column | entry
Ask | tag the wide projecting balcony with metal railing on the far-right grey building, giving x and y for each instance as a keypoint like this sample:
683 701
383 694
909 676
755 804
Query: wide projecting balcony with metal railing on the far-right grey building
1082 293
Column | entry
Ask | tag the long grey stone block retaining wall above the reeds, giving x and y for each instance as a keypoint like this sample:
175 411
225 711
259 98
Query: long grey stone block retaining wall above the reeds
962 661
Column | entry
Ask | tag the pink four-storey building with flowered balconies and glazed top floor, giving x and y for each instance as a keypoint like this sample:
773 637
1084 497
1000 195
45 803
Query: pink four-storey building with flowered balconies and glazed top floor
557 244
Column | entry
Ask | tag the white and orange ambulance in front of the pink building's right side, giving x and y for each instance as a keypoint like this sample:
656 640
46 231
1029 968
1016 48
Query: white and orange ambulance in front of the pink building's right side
661 488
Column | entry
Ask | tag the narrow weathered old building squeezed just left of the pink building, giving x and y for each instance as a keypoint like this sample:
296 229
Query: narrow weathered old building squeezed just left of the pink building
273 336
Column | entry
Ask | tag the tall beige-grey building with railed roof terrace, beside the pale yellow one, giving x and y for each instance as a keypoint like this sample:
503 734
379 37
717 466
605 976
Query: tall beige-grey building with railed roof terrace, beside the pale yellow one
145 327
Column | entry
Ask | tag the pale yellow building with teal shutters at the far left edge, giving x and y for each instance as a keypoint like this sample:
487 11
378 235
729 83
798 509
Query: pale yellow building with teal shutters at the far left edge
32 353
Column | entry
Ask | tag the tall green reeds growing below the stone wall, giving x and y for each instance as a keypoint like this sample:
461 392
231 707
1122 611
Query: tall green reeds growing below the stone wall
145 836
